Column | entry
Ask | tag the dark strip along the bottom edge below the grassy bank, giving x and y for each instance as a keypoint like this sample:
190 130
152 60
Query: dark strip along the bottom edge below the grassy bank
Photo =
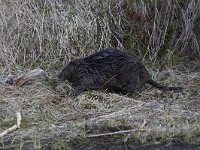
112 143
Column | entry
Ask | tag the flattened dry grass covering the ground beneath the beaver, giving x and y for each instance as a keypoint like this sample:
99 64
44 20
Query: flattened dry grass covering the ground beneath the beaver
164 116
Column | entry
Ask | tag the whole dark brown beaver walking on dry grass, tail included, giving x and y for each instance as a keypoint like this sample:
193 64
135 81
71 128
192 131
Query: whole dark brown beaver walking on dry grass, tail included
112 69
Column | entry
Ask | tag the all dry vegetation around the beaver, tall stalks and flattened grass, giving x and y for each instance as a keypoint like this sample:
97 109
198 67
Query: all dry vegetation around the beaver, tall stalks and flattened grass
46 33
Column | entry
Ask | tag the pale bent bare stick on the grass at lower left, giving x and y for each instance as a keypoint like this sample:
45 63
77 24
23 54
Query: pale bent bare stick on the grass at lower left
16 126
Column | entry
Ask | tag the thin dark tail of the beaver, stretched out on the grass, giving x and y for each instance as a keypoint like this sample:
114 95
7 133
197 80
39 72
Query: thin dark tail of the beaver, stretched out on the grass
164 88
